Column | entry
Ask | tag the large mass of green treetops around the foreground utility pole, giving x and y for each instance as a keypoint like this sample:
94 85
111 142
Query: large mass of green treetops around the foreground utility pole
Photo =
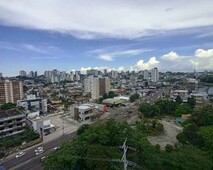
96 147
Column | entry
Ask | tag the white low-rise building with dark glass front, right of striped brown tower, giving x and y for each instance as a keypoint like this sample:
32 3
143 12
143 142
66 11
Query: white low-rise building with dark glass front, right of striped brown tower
33 104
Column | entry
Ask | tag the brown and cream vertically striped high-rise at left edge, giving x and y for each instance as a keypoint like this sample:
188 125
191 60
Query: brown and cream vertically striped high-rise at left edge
10 91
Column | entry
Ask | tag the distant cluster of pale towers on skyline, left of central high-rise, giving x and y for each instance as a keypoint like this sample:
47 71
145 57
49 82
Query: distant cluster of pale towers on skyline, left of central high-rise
56 76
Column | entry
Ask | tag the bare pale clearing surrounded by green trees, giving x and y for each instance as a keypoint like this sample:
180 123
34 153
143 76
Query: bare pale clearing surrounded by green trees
171 129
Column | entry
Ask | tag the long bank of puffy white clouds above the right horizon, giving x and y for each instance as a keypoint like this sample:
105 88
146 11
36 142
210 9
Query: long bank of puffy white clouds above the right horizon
202 60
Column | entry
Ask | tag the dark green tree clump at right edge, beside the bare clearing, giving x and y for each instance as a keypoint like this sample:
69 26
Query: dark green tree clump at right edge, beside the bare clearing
198 130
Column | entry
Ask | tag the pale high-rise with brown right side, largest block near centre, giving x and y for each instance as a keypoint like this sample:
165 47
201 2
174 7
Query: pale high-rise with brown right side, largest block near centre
97 86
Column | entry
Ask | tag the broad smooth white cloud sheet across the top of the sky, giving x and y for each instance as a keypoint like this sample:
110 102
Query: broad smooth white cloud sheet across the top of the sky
119 19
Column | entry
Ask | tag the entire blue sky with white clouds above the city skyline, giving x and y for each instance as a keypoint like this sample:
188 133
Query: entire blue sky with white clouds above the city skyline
39 35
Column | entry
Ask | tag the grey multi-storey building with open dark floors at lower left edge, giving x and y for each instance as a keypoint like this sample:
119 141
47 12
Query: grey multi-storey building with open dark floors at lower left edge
12 122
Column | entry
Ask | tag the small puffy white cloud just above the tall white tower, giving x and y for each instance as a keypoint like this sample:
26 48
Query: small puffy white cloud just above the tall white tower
141 65
